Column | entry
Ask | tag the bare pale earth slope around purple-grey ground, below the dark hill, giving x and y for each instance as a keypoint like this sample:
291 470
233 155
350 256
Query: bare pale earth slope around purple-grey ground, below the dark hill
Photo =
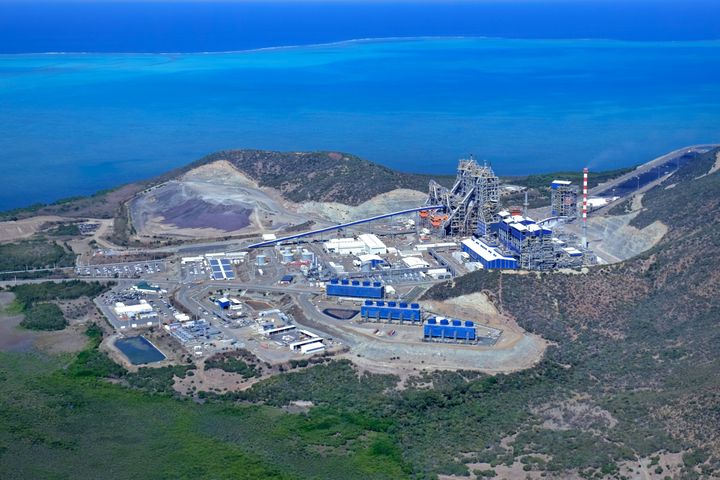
216 199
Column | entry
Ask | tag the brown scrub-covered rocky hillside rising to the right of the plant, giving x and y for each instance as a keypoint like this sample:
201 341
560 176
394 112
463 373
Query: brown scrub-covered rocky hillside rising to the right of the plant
640 339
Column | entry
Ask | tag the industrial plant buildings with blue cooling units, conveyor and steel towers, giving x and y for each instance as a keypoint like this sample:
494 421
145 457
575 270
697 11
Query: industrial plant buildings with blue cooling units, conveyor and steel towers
343 285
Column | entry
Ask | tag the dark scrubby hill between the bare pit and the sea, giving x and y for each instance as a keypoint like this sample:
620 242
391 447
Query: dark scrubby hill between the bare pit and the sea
320 176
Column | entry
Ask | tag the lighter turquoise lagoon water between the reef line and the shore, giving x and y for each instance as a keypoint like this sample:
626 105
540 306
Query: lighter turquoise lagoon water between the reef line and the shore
74 123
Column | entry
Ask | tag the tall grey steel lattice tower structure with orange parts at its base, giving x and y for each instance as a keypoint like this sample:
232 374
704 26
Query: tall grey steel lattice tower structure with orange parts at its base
472 200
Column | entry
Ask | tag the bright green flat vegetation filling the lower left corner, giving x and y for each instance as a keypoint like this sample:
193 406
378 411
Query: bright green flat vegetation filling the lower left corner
79 425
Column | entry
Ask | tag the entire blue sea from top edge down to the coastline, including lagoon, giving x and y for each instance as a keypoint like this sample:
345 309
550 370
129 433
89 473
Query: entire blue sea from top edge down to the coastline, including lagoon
602 84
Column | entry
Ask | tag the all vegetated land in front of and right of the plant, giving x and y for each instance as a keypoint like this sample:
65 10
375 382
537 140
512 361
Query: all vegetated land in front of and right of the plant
629 388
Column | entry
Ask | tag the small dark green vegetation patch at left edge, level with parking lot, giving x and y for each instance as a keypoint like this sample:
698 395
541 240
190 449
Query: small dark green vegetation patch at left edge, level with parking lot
34 254
